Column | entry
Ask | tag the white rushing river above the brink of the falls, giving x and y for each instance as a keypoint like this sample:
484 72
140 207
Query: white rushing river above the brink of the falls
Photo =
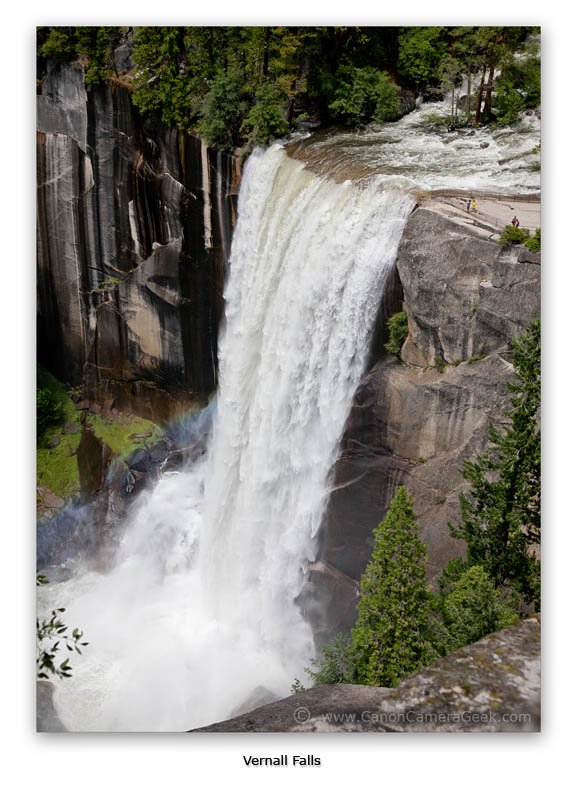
419 153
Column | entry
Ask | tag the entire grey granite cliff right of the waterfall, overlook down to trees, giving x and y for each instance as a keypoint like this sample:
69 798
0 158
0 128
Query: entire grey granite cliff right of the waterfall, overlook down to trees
414 422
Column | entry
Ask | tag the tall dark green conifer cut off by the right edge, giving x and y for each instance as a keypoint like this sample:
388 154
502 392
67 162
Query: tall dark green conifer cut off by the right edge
501 512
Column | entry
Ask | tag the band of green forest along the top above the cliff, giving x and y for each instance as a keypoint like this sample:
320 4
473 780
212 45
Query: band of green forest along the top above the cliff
332 74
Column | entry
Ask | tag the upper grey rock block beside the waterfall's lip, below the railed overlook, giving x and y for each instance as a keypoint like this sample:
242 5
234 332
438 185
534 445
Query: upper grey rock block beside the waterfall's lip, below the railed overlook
467 296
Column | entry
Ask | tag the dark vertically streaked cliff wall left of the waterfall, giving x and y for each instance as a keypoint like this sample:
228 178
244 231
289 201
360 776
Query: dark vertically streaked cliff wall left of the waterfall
134 225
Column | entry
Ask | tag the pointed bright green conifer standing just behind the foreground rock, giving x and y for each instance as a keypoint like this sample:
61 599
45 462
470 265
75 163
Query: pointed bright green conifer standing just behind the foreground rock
389 637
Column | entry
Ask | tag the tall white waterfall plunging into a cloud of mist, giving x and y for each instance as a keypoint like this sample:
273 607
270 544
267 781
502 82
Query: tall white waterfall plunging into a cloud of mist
201 606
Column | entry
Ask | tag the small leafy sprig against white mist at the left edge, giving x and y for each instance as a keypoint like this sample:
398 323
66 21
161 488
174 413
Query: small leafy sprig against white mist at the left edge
51 636
